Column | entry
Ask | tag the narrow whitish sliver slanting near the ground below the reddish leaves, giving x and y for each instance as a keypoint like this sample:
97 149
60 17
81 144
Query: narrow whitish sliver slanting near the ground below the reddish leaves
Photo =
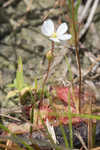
51 131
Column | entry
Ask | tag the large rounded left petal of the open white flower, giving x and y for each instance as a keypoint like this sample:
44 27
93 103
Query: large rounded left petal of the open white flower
48 27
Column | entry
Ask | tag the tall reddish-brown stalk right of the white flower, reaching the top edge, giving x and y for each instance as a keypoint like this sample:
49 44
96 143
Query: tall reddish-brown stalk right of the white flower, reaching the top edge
77 51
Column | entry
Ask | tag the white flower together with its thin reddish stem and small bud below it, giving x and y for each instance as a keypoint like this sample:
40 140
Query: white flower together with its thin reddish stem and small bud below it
48 29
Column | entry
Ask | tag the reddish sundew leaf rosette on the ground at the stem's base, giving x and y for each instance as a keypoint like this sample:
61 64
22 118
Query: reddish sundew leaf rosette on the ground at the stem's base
57 112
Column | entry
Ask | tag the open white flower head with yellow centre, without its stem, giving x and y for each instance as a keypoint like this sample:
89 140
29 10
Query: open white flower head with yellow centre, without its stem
60 35
